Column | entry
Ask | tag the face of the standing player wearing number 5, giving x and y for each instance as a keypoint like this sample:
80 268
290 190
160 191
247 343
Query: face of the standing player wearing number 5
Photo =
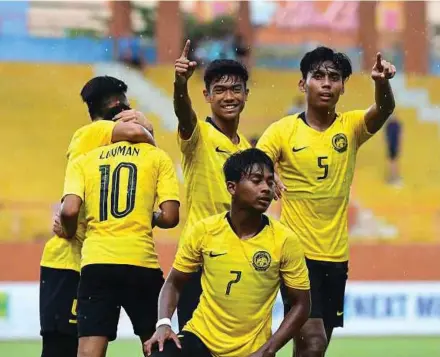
323 86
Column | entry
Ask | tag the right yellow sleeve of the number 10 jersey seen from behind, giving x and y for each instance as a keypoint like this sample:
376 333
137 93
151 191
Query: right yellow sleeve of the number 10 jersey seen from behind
167 186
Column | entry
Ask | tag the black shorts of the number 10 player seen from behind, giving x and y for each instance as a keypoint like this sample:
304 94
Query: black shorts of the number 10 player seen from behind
104 288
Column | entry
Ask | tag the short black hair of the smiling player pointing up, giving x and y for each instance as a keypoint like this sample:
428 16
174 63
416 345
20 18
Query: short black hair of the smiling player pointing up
220 68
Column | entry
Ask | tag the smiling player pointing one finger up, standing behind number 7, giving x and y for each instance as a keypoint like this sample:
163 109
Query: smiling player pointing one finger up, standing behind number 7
205 146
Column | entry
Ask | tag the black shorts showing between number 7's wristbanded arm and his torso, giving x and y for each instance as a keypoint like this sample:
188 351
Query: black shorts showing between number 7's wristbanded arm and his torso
189 298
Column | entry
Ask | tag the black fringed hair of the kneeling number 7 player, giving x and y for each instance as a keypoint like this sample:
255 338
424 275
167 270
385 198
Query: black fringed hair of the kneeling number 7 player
240 164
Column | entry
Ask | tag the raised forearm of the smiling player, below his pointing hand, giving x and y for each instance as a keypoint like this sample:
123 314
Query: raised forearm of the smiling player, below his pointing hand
183 108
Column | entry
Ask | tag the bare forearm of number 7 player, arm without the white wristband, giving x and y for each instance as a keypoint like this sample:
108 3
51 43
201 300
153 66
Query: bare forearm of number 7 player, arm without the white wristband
289 327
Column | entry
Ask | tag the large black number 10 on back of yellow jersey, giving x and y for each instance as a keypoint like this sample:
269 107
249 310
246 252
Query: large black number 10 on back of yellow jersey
114 201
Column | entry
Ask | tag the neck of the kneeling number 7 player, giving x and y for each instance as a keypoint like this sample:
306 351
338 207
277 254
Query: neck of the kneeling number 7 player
245 223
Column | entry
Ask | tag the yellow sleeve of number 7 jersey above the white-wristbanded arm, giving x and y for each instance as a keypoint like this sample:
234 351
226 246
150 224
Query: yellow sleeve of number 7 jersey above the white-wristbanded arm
189 255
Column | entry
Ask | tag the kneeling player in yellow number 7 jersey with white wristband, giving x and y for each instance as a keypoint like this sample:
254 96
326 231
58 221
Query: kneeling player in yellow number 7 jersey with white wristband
243 254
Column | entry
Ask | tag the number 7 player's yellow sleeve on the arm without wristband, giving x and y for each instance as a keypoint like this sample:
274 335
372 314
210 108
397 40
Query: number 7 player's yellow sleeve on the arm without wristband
294 270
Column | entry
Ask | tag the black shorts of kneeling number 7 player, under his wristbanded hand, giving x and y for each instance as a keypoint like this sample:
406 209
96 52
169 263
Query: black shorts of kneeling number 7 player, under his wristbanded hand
192 346
